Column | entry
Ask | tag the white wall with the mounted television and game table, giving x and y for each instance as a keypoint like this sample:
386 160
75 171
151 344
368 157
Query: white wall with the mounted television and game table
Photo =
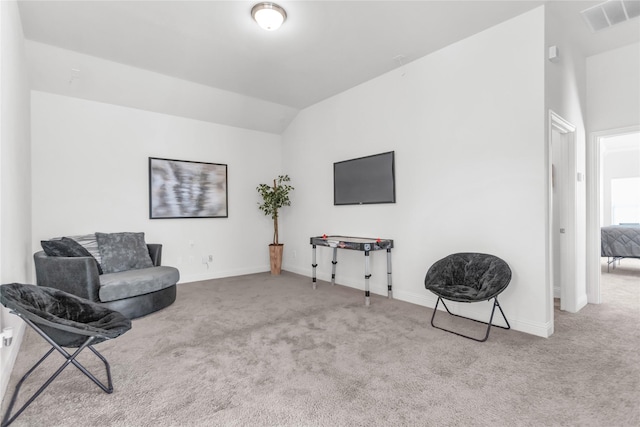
467 124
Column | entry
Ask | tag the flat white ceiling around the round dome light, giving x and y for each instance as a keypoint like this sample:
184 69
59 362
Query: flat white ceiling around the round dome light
324 47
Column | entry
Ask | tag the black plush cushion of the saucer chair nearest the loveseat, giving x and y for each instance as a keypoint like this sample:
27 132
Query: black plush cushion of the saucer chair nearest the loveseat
66 318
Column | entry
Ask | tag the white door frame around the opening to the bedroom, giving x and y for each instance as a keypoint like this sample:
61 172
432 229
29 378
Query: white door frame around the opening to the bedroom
593 207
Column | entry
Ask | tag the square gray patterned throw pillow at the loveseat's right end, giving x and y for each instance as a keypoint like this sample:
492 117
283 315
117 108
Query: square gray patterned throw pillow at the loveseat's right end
123 251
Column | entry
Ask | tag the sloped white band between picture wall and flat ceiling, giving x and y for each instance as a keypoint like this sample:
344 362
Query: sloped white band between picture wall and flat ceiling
50 70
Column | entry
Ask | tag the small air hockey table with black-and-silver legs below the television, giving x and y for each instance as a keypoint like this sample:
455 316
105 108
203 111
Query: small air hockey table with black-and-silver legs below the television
362 244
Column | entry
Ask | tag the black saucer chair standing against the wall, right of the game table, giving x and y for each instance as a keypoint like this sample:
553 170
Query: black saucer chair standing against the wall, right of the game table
469 277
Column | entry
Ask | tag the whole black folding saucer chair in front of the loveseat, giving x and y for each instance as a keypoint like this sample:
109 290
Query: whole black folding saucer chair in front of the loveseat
63 320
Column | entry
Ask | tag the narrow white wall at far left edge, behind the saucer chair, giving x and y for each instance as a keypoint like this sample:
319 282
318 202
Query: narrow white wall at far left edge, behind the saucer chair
15 170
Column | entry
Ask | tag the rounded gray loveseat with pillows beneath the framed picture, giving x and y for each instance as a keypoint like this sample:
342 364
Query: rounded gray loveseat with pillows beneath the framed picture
118 270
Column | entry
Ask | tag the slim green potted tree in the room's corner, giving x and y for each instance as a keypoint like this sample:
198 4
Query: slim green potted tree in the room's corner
273 198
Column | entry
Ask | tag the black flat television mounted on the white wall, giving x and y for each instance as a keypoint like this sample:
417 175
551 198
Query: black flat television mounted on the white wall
365 180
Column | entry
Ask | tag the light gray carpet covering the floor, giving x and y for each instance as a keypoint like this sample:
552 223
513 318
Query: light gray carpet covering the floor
259 350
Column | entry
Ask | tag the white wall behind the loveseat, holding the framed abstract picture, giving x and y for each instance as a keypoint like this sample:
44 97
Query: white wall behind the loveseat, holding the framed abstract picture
90 173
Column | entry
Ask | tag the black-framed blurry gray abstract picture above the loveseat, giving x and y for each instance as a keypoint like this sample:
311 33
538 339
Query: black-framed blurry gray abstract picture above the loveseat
187 189
